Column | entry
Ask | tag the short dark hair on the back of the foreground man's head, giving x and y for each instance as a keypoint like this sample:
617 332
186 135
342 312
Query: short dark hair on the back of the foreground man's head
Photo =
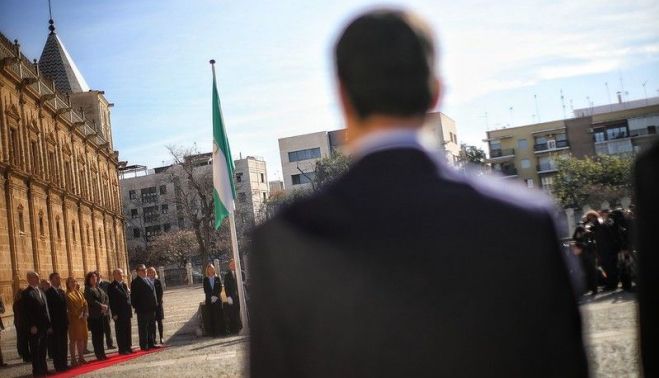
385 61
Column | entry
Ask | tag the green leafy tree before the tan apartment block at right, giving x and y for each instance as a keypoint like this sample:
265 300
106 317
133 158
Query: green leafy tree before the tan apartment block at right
592 180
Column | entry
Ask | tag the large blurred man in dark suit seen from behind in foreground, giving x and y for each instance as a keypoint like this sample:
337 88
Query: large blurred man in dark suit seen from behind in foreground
402 267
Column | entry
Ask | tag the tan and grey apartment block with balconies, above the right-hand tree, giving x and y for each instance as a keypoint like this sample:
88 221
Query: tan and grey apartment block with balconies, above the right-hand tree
529 152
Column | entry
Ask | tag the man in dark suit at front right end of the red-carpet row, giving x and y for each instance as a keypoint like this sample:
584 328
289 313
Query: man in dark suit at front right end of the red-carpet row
143 299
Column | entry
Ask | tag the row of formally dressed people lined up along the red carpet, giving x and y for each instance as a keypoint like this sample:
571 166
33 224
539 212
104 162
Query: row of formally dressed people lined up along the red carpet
47 317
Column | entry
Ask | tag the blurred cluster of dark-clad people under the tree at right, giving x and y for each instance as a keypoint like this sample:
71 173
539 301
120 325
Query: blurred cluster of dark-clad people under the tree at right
603 242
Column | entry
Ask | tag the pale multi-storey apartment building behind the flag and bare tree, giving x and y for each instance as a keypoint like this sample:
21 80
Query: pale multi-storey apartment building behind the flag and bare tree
150 201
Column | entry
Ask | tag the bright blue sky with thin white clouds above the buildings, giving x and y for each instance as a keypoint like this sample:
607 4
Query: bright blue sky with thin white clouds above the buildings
275 72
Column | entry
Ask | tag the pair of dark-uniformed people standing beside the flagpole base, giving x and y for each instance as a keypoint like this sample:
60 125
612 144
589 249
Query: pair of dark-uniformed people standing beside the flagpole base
224 317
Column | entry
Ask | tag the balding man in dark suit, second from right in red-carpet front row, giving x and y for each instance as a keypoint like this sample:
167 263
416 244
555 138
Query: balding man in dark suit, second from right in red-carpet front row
119 297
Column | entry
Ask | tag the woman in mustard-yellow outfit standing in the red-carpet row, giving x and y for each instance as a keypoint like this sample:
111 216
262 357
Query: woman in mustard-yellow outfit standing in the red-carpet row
78 312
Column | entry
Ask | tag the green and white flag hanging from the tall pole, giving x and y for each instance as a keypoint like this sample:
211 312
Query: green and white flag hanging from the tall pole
224 194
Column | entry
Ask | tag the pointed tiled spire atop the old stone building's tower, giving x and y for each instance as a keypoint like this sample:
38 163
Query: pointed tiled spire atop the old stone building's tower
56 63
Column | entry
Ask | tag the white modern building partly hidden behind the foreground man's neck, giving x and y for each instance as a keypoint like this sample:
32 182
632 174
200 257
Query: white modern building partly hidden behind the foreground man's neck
299 153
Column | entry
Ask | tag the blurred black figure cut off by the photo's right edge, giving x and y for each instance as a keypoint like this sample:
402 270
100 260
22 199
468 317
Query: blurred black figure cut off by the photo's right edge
646 180
